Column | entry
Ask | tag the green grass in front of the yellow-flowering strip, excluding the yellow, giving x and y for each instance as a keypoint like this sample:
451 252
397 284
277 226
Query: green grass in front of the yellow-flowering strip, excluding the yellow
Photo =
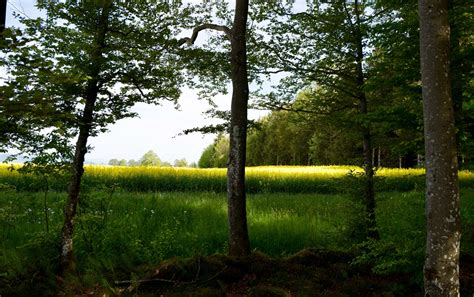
117 233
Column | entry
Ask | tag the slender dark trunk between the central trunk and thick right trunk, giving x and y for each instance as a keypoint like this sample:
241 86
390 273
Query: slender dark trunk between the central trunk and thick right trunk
369 191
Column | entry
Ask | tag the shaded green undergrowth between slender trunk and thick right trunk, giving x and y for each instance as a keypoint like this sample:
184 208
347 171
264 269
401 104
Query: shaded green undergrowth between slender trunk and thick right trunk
398 214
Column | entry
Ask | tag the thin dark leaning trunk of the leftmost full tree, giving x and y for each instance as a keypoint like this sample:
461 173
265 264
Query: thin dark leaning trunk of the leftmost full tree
85 126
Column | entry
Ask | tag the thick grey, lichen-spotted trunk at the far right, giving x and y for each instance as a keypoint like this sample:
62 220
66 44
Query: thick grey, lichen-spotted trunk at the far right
441 270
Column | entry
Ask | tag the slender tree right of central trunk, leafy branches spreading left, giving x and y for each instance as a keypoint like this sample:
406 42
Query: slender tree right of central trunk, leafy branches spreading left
325 50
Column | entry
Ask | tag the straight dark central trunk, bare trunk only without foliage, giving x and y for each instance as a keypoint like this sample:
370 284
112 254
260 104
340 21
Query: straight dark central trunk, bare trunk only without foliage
239 244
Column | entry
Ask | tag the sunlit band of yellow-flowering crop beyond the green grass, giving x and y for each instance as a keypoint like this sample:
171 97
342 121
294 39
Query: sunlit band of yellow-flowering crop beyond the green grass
269 179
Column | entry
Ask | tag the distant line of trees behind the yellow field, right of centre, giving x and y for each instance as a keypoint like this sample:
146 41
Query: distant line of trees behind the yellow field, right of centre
301 137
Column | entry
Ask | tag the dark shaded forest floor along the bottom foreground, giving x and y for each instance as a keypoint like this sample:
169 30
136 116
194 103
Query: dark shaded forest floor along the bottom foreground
310 272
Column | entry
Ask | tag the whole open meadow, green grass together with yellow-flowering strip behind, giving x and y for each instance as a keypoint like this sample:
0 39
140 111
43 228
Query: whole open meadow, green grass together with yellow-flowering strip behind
135 216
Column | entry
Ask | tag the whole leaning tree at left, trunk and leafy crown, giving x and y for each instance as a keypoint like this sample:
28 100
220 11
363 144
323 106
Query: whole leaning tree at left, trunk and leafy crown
86 65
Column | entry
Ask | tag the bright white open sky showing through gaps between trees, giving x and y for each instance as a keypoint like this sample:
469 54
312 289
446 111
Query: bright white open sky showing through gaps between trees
157 128
